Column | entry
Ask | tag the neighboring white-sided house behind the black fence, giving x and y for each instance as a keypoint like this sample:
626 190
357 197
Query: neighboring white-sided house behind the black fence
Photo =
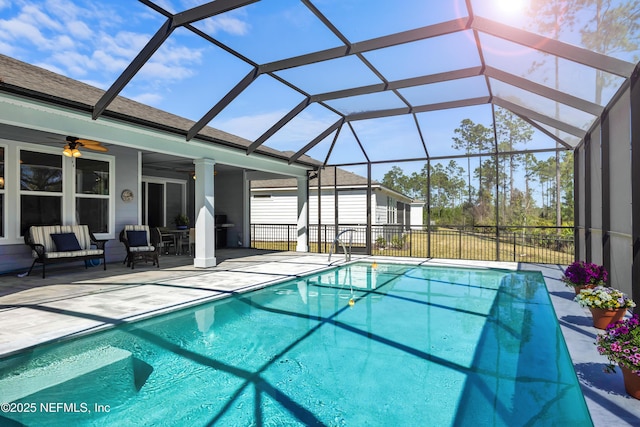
278 196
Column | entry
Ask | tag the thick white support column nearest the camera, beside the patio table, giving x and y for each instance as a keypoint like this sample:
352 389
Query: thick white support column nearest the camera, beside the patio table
204 212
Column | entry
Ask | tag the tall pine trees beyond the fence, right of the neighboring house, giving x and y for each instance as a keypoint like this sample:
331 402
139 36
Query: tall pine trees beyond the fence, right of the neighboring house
519 187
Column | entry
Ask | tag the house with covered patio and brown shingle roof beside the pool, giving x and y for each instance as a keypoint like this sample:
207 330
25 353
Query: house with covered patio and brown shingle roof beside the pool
135 166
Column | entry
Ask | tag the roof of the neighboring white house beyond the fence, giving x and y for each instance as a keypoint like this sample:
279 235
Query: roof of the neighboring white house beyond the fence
345 179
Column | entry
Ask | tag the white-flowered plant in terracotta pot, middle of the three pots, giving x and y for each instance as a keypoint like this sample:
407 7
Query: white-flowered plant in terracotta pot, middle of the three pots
607 305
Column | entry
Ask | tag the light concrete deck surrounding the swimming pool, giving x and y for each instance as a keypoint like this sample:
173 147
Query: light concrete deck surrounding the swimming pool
74 301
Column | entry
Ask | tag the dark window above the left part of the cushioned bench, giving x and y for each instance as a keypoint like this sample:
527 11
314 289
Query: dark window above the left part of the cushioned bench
40 189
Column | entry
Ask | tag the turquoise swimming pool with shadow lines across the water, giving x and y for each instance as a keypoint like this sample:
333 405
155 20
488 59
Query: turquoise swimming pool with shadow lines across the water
358 345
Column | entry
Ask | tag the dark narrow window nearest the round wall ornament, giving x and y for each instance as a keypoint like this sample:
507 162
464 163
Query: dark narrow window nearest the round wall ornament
92 194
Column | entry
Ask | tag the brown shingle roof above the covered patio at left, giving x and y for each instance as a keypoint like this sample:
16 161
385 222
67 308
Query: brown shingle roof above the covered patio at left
27 80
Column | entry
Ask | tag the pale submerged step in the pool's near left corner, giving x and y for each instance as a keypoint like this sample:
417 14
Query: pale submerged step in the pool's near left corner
100 373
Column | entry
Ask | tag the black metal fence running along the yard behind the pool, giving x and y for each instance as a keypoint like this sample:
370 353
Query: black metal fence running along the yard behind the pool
547 245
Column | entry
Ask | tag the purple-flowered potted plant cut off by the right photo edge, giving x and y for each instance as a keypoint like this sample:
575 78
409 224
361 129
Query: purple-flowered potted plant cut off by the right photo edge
621 344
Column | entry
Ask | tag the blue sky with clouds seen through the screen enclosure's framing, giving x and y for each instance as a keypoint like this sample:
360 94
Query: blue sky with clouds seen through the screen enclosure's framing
94 41
